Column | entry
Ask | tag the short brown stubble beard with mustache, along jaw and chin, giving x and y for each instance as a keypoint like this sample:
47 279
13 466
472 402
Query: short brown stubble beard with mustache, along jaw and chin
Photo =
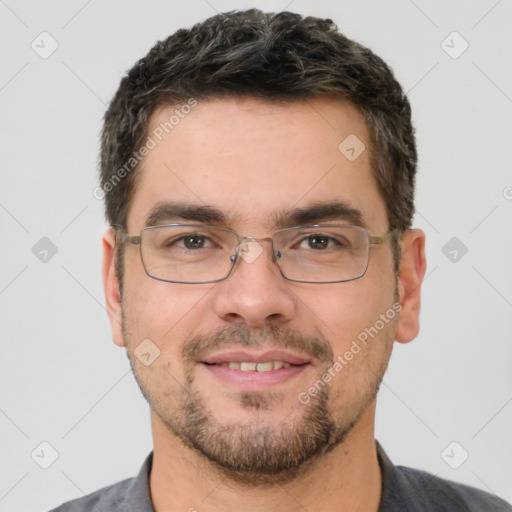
255 455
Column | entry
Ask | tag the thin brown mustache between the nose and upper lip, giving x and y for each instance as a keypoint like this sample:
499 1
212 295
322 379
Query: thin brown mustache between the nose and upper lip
281 337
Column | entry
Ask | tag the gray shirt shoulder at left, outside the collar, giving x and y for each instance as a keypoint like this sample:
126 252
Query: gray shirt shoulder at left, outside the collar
107 499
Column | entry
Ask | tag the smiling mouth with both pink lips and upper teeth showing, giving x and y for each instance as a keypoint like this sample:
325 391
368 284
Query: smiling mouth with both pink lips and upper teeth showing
250 371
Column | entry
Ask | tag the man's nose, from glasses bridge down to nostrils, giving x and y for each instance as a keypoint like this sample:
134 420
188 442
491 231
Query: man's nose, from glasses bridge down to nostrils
255 292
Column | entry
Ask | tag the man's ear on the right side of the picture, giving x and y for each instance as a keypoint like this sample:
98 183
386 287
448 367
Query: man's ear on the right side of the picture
412 272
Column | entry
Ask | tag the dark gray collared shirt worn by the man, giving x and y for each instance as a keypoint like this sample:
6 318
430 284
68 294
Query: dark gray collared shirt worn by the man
403 490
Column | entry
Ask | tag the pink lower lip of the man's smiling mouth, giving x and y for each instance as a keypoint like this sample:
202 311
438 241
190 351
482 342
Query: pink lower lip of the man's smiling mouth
254 379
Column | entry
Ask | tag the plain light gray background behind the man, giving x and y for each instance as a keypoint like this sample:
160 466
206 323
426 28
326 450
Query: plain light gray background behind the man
63 381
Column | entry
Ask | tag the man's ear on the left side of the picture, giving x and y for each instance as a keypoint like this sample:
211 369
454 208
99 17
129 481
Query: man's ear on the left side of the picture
111 286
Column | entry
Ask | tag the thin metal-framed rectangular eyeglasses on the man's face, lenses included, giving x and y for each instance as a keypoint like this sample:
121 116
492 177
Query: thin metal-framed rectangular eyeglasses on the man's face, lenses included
193 253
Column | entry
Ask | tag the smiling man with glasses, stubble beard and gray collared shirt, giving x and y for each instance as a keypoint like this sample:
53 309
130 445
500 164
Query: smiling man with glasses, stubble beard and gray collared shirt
258 172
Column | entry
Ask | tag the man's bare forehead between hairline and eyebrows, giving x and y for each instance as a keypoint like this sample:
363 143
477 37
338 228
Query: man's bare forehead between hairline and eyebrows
253 161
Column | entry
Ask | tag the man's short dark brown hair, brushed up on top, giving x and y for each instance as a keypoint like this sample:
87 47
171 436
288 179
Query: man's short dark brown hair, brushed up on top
272 56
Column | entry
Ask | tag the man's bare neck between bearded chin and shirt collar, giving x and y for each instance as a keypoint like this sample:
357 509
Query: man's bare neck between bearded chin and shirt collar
347 478
